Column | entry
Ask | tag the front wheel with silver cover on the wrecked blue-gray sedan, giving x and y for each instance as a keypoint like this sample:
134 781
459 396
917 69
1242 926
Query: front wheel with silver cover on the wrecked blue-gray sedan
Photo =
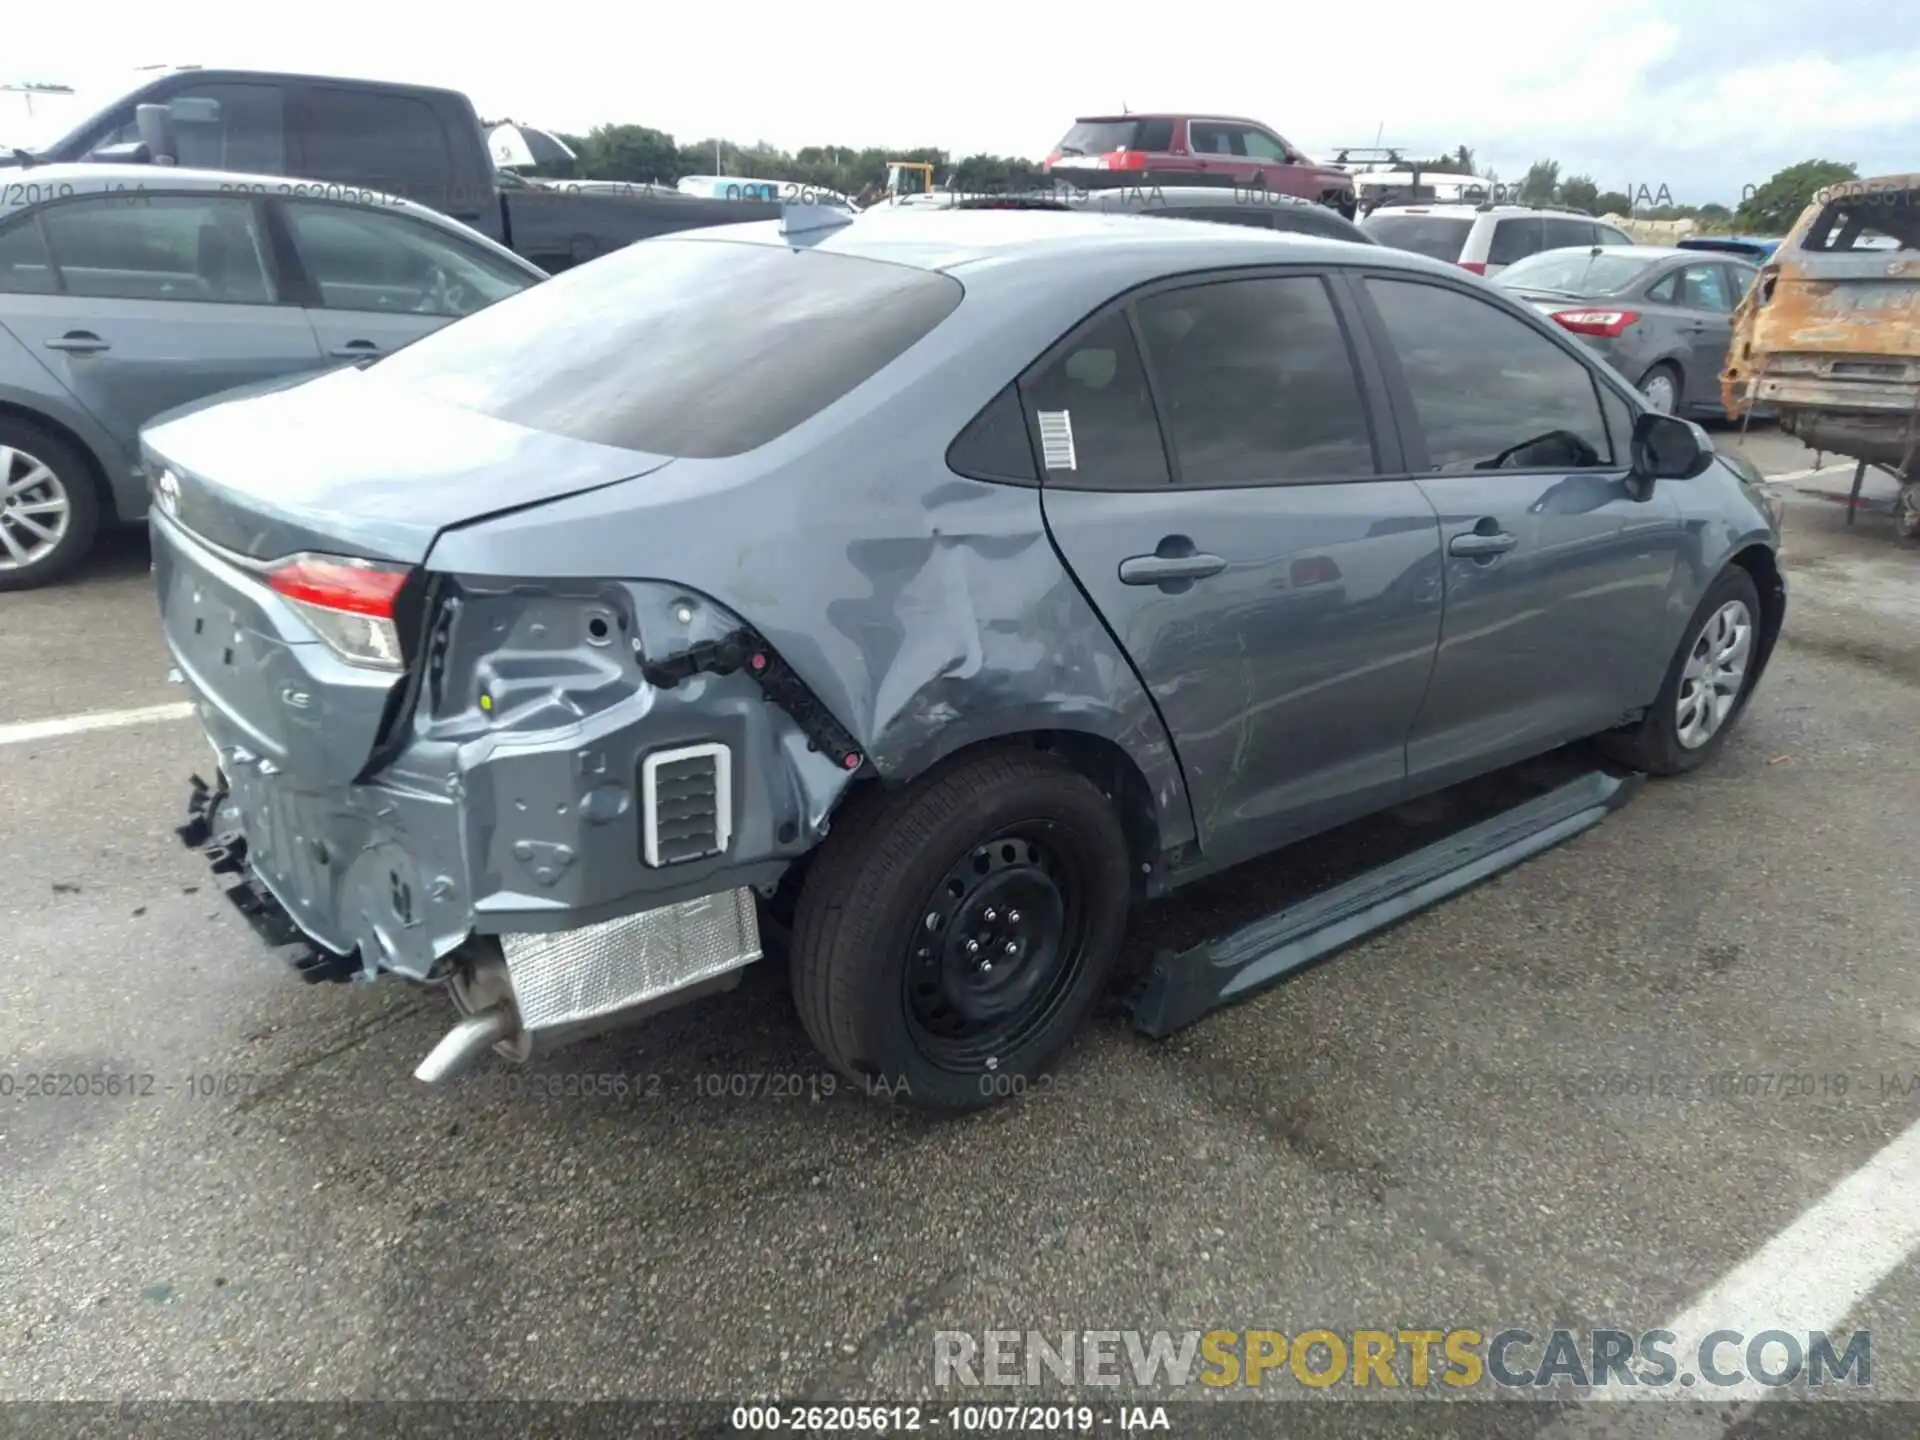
1685 729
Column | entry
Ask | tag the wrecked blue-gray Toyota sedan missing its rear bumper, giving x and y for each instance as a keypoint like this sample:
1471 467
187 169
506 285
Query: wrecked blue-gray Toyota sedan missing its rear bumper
923 590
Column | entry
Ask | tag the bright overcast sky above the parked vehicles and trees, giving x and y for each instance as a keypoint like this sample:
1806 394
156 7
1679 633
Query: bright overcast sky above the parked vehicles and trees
1702 97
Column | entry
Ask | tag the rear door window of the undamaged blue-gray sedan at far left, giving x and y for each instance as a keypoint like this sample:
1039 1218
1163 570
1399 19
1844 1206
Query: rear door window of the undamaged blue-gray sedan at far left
201 247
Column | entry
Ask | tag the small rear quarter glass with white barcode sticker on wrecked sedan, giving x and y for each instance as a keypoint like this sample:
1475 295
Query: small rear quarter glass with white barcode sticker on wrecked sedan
1093 414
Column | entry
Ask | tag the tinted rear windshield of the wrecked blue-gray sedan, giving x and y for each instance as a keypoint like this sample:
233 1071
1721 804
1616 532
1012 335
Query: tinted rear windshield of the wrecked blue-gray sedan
696 348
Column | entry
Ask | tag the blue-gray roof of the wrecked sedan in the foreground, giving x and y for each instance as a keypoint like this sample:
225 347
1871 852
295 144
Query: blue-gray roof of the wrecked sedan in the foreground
1143 245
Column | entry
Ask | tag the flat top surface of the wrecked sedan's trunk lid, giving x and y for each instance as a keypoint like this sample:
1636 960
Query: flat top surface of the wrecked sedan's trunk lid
345 466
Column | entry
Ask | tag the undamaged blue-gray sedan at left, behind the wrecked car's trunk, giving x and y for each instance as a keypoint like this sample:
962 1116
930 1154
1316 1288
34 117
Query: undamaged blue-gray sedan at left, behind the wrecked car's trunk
130 291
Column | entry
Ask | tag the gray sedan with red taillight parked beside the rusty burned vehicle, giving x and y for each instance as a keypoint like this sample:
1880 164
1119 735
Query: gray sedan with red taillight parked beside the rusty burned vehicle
1662 318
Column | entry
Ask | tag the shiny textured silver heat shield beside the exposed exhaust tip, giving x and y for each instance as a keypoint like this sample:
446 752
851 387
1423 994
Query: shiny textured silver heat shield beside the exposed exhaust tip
581 974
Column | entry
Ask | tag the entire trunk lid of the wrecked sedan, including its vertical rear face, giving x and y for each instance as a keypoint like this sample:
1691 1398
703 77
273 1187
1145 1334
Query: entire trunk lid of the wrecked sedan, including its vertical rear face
329 468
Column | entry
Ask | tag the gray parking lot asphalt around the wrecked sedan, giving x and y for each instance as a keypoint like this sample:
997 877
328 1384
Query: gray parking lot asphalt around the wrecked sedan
1525 1107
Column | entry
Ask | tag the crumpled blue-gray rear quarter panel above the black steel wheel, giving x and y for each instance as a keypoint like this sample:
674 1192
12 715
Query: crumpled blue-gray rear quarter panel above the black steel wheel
924 610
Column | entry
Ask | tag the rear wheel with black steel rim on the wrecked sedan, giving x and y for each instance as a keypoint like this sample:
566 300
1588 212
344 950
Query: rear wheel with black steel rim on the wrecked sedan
913 898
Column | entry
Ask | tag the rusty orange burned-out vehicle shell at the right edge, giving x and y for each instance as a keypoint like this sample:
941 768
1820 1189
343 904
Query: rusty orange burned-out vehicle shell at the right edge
1831 329
